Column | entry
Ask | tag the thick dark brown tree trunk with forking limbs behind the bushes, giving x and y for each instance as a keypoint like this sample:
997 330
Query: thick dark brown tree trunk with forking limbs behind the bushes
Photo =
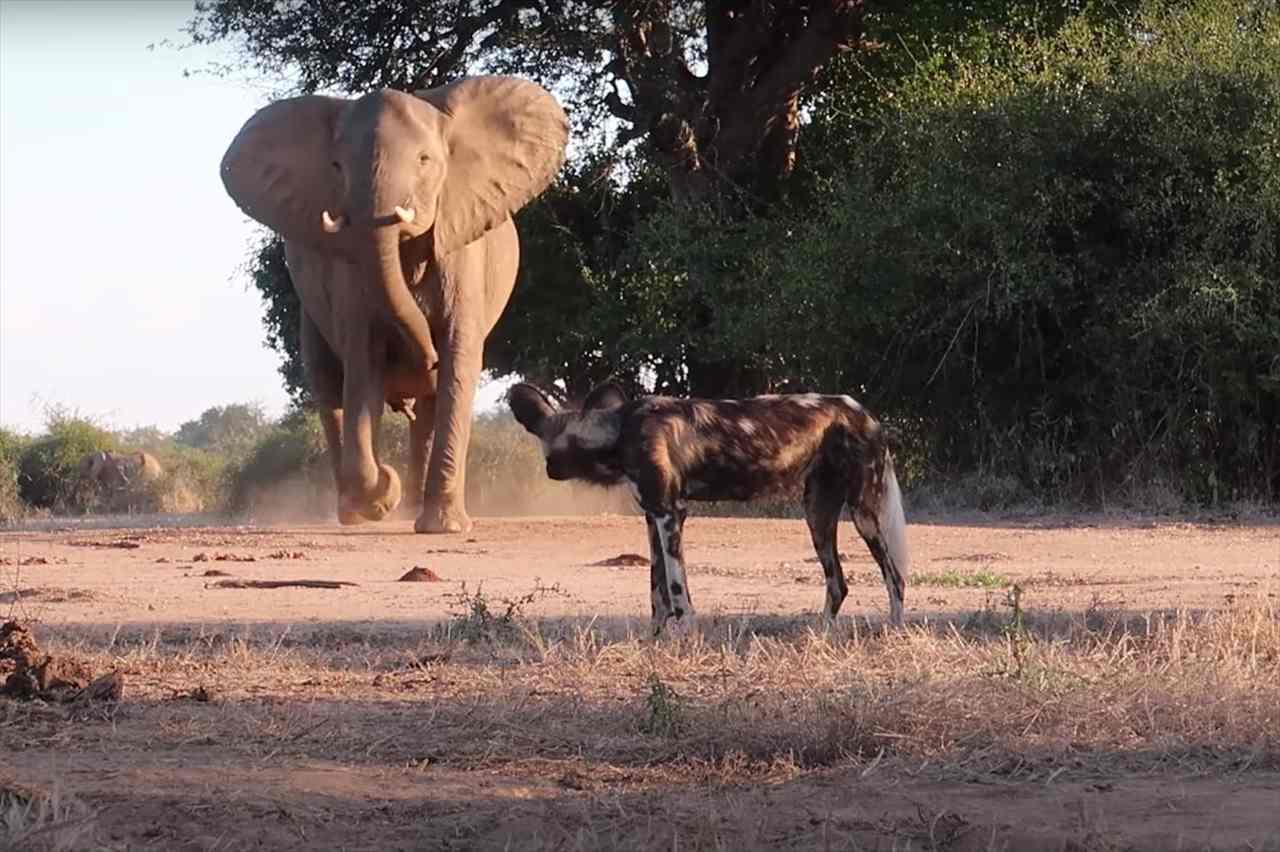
728 138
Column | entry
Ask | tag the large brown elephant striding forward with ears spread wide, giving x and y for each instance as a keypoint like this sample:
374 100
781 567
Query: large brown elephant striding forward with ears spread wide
396 214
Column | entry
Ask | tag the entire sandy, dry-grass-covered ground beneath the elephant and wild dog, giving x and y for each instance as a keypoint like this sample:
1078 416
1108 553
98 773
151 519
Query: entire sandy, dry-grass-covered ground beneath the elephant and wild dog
1130 702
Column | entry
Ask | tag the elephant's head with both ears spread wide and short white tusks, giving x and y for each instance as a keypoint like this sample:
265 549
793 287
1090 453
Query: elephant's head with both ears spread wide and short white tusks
349 176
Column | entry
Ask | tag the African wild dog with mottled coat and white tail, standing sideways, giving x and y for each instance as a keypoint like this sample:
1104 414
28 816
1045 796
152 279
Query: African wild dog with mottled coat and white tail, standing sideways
671 451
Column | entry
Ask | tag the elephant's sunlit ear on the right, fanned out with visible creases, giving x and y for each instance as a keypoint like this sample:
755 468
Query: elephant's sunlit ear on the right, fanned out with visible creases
506 139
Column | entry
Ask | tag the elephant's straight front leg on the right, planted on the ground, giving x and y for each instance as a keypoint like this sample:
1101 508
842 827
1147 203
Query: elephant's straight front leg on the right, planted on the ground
445 502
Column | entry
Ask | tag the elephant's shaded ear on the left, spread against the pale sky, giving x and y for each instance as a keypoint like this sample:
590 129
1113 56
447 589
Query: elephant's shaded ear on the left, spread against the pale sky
278 170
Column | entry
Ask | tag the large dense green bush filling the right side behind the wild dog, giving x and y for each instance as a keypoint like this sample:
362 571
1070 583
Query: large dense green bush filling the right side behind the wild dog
1050 262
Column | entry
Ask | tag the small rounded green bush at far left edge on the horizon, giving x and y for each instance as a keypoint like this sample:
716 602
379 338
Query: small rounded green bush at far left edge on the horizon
48 469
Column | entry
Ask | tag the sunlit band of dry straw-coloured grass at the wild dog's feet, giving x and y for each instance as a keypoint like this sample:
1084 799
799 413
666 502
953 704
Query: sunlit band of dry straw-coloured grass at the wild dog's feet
1007 693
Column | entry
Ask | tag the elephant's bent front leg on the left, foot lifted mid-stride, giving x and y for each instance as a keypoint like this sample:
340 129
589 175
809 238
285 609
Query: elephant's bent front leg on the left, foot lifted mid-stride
367 489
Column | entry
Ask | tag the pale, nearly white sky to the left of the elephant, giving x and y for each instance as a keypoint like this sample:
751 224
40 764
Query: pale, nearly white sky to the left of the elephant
122 295
